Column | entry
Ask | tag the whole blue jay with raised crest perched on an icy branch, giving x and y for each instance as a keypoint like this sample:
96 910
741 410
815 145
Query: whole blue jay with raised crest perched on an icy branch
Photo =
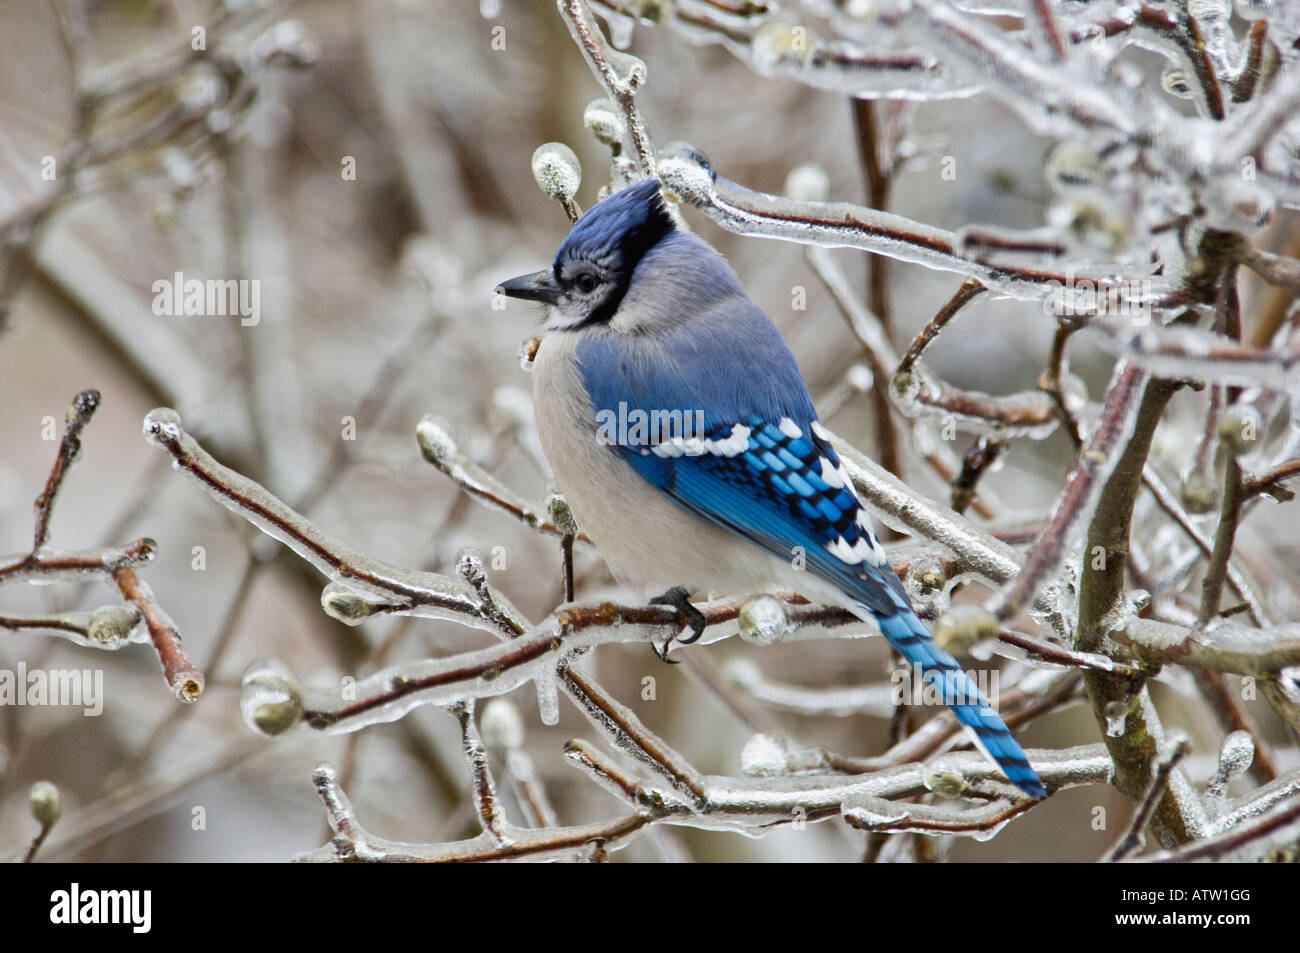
718 474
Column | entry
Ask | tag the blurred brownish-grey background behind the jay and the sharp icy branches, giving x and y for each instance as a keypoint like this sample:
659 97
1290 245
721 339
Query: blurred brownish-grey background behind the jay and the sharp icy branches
369 163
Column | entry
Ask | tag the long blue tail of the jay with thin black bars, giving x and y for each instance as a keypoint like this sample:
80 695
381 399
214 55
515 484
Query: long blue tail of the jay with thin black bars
913 640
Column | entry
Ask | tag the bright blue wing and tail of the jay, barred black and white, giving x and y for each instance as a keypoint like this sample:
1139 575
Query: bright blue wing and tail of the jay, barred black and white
762 467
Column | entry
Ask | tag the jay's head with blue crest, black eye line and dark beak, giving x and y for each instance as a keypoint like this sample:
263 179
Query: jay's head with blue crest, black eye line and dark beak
595 265
